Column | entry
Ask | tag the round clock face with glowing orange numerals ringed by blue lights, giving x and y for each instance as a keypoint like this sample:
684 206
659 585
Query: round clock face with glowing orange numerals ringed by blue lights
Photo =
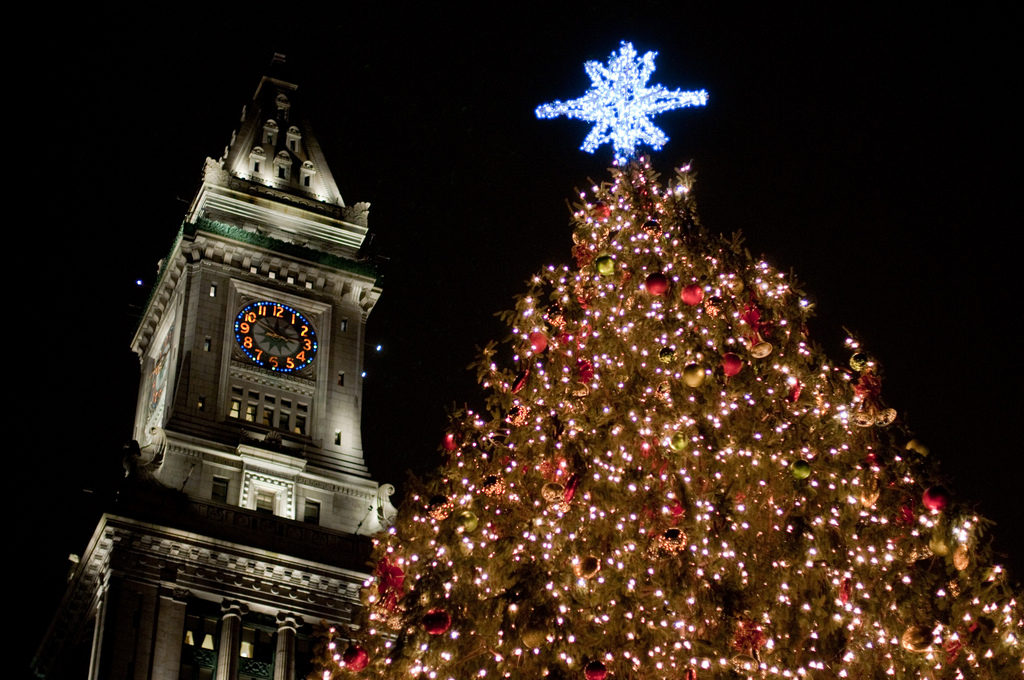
276 336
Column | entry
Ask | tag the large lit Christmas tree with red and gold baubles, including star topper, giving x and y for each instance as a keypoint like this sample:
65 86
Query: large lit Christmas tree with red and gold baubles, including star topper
673 482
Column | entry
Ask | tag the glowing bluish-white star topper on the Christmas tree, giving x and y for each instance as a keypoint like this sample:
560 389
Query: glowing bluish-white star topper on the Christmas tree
621 105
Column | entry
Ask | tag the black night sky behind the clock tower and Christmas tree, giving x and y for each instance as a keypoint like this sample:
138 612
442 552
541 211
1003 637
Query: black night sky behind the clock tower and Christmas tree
868 149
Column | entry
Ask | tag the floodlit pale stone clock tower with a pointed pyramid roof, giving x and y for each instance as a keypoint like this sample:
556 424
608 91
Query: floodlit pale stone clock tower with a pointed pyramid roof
248 503
